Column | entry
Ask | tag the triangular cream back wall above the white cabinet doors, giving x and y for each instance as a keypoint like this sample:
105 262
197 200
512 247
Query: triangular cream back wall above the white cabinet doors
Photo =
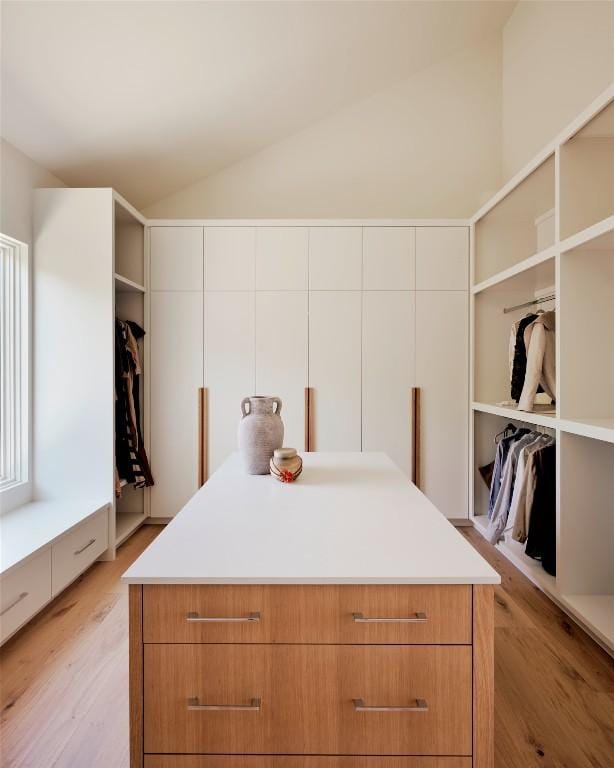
427 147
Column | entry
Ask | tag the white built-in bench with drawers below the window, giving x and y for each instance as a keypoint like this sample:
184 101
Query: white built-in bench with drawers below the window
44 546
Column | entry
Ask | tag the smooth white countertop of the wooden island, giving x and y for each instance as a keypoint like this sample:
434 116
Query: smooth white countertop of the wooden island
351 518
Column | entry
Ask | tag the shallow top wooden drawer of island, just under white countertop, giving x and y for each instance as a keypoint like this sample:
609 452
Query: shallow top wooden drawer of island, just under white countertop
371 614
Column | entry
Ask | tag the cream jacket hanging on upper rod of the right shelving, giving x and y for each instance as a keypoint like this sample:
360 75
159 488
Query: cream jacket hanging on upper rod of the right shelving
541 360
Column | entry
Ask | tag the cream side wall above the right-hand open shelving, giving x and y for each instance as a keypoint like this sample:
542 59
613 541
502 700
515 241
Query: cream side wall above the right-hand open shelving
557 57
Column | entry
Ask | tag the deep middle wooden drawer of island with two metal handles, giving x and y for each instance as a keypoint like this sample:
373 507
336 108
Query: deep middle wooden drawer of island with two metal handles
307 699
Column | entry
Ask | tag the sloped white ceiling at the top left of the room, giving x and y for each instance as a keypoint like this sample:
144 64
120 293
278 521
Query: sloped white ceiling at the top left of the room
149 97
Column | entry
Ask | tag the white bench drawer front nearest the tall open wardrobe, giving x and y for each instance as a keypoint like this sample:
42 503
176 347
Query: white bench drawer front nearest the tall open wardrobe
73 553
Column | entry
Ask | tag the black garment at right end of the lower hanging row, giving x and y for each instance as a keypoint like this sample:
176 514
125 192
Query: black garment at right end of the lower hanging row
541 541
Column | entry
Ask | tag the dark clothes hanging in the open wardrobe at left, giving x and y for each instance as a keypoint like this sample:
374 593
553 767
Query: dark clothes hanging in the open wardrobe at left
130 457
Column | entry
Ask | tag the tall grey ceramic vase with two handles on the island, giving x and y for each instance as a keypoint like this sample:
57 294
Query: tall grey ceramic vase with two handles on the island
261 431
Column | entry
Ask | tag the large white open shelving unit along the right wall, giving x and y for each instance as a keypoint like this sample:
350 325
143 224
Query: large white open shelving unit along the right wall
575 176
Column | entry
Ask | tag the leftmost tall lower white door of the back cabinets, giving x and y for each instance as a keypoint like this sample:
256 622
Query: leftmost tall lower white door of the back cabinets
176 372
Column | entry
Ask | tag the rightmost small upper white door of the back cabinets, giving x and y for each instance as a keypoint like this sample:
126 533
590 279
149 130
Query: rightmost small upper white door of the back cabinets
442 258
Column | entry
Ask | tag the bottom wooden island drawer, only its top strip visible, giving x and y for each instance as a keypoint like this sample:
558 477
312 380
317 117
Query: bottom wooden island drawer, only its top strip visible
302 761
